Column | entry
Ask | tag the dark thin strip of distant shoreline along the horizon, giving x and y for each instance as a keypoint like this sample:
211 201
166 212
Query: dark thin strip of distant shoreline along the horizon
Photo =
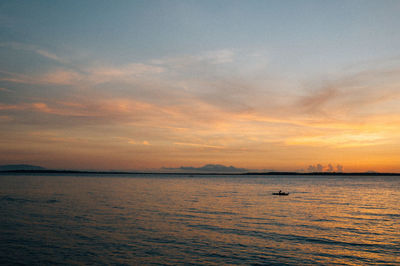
193 173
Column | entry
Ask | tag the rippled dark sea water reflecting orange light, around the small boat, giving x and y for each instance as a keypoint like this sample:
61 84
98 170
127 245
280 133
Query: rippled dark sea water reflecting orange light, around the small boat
199 220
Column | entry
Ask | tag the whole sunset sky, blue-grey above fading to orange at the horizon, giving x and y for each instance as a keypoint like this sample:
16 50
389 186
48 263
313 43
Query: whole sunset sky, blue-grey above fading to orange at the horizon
281 85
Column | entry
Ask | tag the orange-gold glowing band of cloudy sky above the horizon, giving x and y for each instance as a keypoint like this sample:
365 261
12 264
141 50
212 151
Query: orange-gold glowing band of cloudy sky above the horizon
155 115
